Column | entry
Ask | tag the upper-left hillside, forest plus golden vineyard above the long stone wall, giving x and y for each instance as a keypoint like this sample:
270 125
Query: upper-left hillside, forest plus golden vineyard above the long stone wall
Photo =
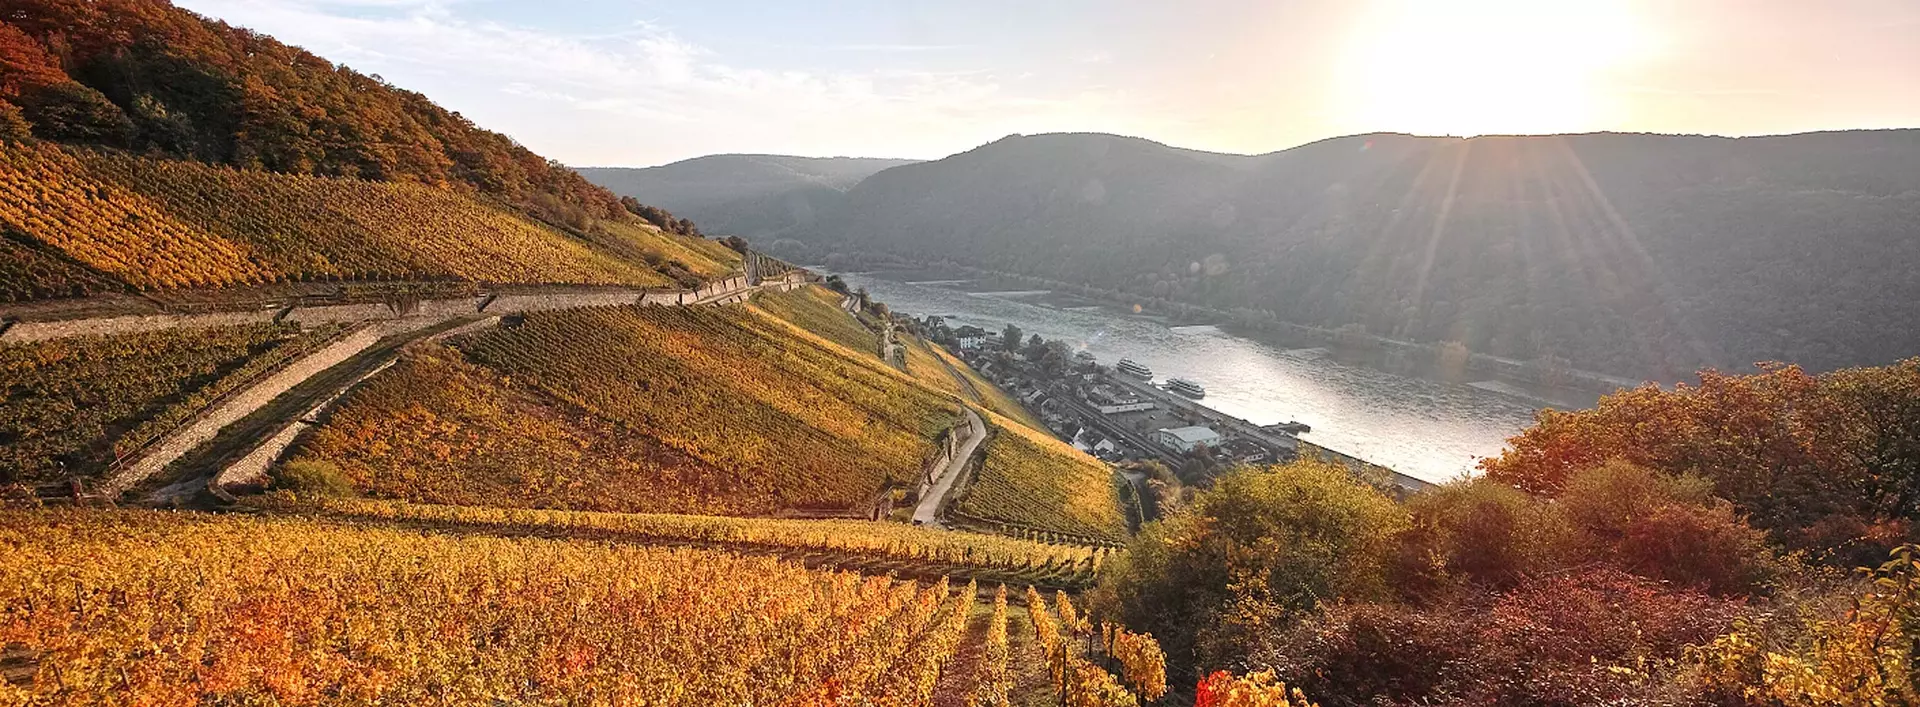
145 147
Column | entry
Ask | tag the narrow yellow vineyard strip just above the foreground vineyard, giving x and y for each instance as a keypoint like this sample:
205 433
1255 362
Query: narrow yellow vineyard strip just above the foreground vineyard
873 549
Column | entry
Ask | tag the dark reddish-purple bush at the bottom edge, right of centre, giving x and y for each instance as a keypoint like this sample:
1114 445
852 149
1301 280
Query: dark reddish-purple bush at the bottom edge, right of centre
1573 639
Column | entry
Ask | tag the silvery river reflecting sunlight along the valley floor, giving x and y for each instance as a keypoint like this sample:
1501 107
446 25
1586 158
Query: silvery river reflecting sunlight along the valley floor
1420 427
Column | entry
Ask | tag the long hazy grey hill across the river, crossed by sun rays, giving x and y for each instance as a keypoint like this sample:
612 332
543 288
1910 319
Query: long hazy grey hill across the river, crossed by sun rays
1635 255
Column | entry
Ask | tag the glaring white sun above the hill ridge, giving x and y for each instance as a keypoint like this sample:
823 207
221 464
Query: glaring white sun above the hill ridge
1489 66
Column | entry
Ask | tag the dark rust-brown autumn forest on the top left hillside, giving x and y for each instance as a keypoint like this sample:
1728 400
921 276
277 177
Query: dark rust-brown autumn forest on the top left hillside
153 78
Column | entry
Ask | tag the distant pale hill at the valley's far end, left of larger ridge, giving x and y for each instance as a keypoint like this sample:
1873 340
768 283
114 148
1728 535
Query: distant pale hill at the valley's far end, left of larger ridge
756 197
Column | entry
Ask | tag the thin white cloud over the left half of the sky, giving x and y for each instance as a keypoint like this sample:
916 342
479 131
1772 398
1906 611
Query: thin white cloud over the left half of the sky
640 93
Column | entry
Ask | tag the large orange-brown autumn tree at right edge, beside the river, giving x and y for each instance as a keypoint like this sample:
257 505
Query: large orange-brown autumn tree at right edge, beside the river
1800 454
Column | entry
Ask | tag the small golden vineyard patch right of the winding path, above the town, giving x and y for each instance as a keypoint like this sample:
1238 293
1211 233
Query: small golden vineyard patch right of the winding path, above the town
1040 485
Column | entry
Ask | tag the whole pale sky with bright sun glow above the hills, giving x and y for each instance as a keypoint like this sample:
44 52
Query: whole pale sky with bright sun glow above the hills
652 82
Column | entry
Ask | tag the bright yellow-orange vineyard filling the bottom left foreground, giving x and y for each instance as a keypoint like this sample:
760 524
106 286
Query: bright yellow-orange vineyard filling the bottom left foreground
224 610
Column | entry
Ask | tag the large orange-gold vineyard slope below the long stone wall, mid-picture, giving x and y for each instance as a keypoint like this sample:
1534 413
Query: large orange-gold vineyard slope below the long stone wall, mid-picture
660 410
